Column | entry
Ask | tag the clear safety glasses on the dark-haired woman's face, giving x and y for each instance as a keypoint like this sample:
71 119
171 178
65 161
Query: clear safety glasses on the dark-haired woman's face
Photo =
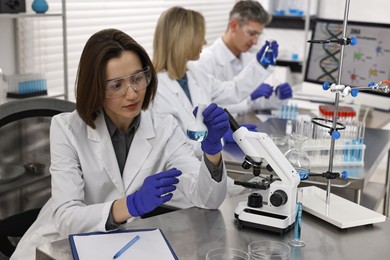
138 80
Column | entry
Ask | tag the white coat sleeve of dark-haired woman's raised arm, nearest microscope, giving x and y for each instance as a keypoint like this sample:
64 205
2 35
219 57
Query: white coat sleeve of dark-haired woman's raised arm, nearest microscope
195 183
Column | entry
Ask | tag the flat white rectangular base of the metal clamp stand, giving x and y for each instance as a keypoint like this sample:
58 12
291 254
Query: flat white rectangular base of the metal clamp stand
339 212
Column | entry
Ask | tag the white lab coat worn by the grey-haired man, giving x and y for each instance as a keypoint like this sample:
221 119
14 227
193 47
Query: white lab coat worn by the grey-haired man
219 61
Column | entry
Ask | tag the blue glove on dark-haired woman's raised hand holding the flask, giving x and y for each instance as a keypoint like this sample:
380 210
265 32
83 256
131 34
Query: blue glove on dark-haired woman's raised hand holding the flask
217 122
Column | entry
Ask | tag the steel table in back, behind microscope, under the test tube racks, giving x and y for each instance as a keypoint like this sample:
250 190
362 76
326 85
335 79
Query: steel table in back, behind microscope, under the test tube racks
377 146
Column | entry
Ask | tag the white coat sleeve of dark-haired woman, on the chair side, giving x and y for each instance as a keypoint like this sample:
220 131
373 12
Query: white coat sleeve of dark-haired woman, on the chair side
68 185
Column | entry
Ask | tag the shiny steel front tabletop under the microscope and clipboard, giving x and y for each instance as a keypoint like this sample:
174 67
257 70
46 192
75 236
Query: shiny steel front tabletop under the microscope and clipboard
192 232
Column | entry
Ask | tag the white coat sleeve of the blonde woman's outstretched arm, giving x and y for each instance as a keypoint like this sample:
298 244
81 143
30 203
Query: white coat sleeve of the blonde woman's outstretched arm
235 91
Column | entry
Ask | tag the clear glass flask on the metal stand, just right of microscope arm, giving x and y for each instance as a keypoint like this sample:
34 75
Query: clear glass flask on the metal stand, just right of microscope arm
298 157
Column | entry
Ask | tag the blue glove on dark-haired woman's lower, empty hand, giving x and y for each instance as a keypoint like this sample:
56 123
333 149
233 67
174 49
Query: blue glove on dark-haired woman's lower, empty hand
155 190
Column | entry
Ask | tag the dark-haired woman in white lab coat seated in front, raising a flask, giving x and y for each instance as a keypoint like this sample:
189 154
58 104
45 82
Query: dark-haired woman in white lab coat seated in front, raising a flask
112 159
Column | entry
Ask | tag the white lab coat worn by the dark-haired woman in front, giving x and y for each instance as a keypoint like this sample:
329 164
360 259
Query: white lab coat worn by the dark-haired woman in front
86 177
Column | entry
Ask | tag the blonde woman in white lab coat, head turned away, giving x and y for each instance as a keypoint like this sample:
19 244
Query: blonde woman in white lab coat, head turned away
178 40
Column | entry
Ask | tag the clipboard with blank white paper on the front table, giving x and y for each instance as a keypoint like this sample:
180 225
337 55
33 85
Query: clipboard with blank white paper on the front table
103 245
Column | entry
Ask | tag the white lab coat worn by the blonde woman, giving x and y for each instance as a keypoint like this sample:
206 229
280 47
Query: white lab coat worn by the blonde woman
205 89
